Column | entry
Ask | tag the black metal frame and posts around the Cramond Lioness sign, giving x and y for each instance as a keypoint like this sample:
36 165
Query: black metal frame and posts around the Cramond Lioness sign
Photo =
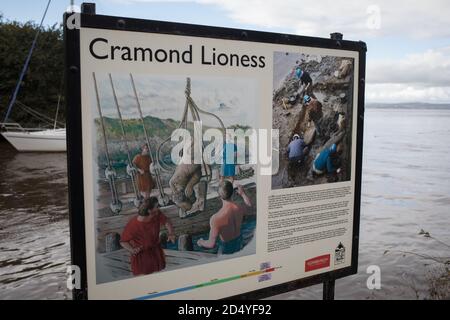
88 18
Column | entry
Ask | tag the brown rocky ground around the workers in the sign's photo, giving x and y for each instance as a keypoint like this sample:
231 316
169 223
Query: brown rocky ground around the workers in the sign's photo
325 121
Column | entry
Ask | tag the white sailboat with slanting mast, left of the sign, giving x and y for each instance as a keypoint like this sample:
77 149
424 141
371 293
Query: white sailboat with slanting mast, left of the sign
32 139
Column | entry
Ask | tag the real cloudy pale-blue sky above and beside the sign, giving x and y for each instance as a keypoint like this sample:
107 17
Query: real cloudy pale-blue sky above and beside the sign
408 41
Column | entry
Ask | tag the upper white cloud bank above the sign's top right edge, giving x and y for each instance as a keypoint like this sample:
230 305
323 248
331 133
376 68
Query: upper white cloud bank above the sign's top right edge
354 18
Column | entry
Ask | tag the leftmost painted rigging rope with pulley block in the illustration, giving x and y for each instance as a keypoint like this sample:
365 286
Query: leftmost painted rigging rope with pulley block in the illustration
110 173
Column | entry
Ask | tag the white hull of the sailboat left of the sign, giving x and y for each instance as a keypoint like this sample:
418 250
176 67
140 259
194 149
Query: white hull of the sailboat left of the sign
38 141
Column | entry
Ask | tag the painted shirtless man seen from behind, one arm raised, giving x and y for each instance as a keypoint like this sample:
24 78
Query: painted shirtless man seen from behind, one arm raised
226 223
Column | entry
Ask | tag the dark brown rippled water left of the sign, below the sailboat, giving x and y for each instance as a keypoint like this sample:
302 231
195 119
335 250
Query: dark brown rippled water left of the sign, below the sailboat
34 234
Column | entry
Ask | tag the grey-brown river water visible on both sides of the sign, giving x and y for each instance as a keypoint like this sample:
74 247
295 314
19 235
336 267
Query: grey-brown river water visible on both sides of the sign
406 188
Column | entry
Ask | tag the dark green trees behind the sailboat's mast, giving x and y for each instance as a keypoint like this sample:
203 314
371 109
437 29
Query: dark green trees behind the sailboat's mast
42 83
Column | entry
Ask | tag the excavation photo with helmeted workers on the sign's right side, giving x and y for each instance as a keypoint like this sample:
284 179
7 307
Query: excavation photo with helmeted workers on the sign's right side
312 109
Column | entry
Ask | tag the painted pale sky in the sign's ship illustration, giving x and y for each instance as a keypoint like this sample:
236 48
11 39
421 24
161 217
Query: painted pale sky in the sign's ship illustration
164 97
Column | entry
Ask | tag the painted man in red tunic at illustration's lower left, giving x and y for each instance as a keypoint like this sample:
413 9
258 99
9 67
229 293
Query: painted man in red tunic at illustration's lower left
141 238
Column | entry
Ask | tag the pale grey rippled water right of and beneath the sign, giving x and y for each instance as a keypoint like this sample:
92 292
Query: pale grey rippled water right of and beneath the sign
406 174
